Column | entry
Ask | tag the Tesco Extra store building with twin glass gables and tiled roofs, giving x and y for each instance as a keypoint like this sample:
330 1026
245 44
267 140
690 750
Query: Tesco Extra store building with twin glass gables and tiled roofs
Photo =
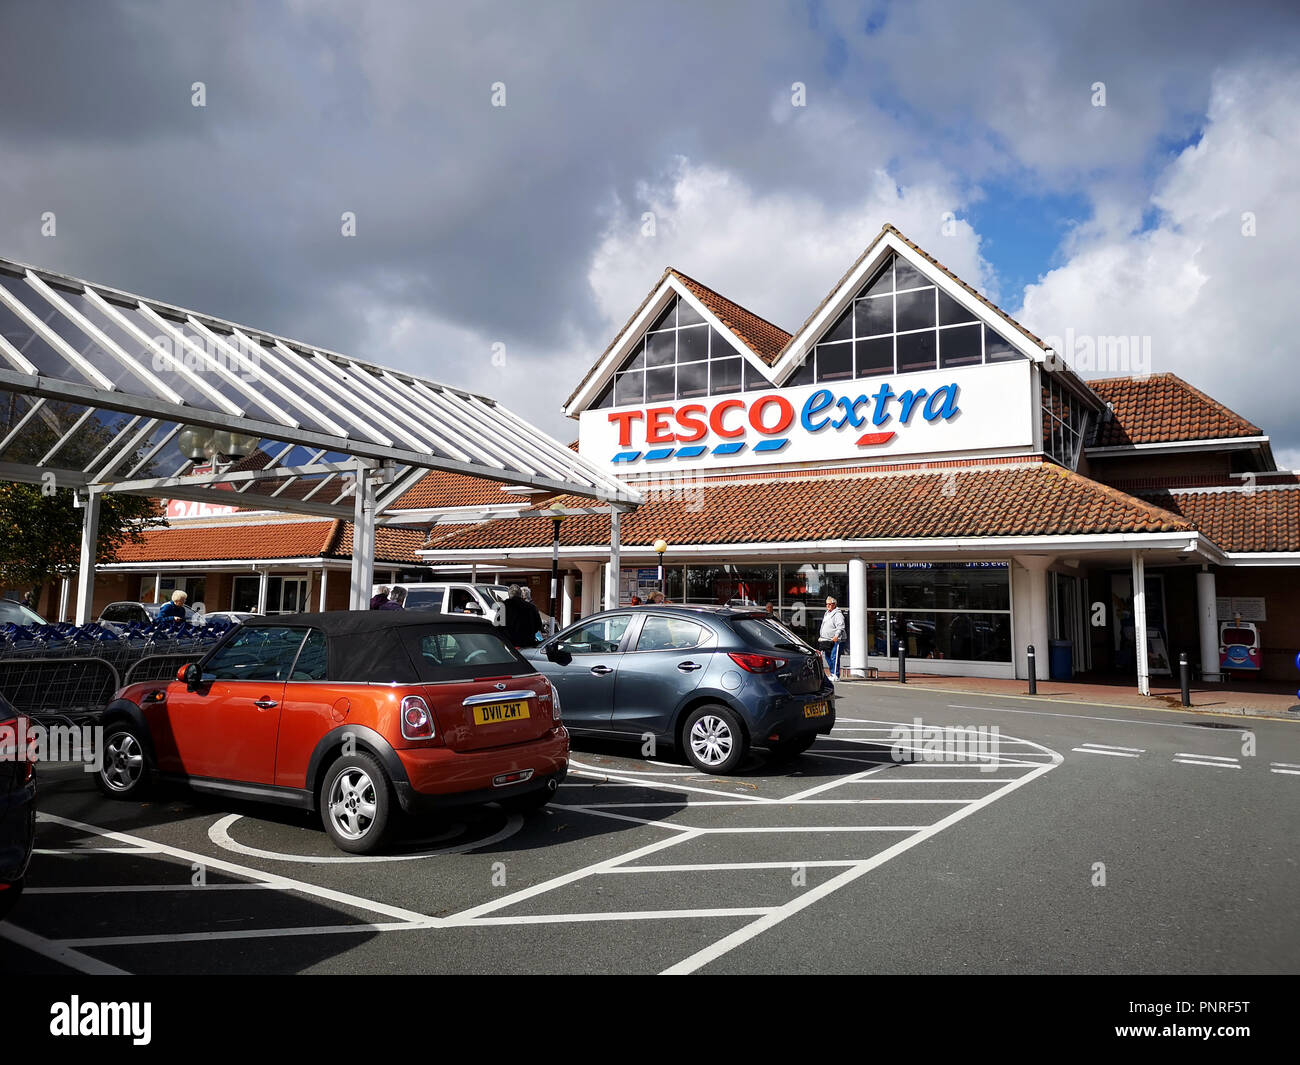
917 454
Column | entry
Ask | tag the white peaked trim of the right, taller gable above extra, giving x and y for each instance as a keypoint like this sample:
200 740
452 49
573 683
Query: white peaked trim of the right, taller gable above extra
891 241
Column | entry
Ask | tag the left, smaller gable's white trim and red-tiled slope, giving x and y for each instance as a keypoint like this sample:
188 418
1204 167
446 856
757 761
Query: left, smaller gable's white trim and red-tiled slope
753 337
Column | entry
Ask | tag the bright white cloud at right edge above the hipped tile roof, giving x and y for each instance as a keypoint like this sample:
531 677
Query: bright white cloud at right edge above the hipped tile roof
1217 305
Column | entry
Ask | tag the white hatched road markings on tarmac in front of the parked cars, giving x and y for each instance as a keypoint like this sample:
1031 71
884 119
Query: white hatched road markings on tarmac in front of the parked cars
1032 763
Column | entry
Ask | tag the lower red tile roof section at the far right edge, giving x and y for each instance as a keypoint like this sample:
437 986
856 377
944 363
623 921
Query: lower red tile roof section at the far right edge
1260 519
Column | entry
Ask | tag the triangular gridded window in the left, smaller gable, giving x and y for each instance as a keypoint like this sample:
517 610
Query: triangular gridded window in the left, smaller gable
681 357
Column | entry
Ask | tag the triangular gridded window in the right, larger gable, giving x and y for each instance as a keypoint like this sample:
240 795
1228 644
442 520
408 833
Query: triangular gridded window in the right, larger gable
902 323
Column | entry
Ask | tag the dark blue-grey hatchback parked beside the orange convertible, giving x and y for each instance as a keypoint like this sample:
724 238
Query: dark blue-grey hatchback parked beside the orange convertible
712 681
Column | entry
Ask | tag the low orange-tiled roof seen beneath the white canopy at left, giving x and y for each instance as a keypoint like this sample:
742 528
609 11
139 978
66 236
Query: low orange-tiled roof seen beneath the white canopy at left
270 540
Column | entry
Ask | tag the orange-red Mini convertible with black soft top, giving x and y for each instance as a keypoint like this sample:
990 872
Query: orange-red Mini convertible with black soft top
350 715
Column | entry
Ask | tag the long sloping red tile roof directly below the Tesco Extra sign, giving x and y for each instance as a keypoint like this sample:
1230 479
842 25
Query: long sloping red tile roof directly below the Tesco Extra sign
1029 500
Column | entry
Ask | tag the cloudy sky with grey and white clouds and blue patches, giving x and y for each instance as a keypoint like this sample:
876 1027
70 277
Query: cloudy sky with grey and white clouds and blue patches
1103 167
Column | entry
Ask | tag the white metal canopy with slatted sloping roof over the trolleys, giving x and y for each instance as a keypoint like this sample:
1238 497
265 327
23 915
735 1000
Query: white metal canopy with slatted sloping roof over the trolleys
102 391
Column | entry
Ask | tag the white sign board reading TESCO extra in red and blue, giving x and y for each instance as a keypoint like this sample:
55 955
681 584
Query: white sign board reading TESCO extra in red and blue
957 410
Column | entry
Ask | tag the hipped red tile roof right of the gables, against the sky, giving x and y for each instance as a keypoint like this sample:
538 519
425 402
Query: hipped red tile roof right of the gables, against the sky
1162 409
